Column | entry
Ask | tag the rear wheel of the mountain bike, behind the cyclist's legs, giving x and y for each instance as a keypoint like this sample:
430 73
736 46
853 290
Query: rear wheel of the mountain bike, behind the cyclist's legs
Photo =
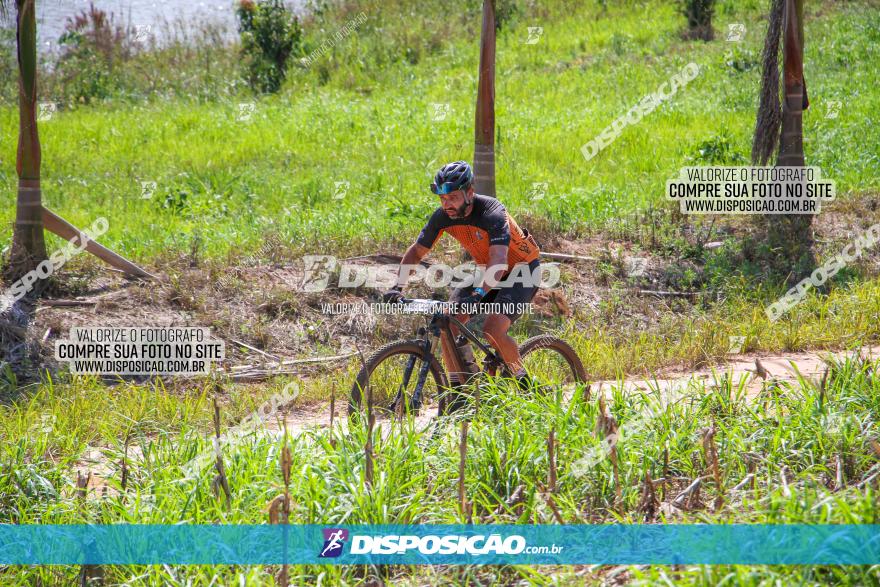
551 361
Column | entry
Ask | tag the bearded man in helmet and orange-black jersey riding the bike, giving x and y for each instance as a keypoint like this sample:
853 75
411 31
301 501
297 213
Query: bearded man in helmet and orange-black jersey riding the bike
496 242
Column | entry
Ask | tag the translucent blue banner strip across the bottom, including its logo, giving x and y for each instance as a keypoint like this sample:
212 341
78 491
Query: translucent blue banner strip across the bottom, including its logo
441 544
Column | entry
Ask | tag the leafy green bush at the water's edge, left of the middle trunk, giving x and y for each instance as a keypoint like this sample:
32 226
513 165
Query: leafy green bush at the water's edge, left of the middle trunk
270 35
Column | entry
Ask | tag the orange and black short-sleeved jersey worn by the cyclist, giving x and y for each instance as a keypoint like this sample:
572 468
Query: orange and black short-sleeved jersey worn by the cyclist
488 224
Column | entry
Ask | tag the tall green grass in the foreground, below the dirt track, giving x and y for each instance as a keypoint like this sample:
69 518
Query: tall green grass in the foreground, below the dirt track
800 427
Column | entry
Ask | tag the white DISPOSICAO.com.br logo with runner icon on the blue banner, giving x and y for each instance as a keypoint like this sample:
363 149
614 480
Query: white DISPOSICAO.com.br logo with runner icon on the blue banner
452 544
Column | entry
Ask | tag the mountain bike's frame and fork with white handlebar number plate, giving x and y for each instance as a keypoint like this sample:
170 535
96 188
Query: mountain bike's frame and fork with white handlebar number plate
439 327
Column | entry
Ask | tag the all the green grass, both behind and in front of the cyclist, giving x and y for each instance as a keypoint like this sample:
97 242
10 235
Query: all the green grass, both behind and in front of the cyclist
363 116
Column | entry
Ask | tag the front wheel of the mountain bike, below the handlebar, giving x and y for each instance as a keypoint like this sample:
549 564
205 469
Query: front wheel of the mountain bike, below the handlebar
394 371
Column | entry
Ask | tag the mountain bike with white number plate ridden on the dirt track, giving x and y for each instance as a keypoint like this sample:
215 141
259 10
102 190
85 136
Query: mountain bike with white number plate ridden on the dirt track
407 374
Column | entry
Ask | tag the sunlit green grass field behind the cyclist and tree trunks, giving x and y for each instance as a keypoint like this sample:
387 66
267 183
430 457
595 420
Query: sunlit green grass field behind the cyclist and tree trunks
233 182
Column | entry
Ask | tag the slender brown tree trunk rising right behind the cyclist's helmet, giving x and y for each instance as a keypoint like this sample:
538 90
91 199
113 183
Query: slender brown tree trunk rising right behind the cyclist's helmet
484 140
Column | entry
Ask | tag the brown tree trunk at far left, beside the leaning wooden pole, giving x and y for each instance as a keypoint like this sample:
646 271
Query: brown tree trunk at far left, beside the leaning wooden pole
28 245
